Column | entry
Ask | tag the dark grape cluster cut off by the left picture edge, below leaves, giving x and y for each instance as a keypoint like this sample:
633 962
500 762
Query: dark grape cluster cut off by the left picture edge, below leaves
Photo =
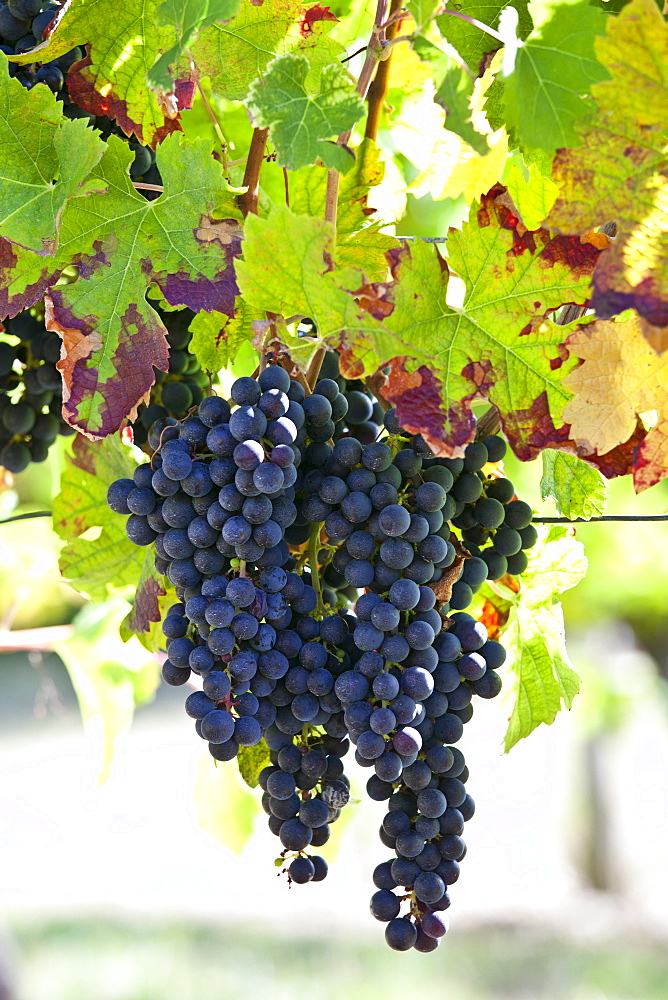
30 393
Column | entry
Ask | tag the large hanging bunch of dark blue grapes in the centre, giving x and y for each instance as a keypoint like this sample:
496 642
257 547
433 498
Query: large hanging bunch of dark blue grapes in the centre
275 514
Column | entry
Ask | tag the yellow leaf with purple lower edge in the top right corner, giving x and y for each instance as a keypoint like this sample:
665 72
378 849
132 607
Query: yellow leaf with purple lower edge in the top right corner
618 172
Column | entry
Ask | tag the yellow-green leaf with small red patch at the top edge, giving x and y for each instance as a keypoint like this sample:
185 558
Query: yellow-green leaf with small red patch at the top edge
232 55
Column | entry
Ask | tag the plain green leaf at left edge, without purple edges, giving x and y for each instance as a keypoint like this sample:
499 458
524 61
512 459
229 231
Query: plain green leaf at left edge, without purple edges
44 161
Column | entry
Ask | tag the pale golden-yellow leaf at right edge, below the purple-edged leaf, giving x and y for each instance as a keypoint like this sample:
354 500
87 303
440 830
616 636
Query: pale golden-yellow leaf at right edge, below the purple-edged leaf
622 377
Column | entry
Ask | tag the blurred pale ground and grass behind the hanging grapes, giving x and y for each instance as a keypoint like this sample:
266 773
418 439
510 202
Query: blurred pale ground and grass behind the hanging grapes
115 893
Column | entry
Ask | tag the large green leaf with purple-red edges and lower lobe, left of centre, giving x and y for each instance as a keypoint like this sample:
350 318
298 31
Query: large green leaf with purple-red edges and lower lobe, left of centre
182 241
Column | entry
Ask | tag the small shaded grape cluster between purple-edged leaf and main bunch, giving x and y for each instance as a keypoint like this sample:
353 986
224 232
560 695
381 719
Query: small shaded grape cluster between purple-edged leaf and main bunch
179 389
